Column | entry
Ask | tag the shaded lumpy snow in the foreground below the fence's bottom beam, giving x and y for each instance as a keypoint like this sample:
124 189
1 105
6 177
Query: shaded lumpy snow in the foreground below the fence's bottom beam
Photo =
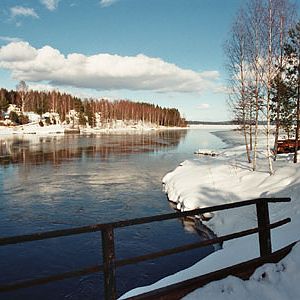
270 282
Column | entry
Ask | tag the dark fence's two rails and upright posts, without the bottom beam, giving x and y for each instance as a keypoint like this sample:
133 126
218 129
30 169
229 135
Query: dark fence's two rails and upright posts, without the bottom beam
108 248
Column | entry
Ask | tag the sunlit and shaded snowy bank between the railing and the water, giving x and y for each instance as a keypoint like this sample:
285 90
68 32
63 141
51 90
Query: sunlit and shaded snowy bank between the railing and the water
224 179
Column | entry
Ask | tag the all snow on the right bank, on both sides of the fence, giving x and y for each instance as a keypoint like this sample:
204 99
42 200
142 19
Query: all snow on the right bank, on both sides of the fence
206 181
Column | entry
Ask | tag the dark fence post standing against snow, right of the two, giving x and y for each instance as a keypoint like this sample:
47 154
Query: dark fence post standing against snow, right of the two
264 233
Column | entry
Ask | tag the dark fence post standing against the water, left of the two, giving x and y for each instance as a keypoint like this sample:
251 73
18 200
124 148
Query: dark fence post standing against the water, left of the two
108 249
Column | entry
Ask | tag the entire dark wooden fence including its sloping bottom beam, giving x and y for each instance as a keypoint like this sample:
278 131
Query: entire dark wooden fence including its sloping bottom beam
110 263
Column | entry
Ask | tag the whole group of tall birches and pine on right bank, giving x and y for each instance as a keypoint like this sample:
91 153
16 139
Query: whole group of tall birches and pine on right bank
263 65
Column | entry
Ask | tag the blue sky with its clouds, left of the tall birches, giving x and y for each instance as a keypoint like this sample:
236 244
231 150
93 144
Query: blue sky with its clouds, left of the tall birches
166 52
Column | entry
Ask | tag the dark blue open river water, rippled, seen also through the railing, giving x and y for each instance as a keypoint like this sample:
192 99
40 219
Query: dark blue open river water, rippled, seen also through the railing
49 183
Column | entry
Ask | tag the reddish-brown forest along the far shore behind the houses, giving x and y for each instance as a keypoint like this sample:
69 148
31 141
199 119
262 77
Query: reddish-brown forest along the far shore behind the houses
61 103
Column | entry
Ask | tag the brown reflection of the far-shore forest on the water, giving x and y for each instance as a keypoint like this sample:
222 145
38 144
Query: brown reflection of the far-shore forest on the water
36 150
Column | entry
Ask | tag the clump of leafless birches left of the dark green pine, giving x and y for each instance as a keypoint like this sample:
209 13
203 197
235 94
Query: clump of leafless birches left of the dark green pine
263 30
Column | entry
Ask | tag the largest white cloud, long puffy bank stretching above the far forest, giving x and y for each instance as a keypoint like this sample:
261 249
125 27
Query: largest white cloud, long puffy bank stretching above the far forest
101 71
